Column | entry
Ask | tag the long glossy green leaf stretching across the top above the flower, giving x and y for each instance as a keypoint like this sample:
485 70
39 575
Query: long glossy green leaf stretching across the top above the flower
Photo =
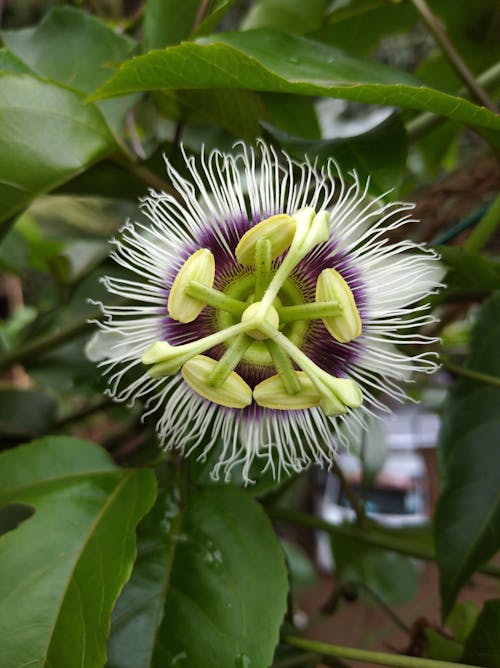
264 60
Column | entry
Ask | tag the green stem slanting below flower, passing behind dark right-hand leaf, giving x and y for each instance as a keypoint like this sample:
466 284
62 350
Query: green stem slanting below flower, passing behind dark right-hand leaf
385 541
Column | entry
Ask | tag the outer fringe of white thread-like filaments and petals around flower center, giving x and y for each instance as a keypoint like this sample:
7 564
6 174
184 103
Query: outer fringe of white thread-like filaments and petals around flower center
249 185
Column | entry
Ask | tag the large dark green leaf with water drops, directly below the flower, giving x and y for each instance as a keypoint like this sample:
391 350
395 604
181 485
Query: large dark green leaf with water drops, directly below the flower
209 588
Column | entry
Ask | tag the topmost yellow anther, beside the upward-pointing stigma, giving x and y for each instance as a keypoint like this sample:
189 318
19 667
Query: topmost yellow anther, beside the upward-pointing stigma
278 229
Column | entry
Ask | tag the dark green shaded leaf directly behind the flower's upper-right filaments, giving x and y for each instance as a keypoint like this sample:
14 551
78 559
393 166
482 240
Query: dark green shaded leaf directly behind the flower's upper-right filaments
379 153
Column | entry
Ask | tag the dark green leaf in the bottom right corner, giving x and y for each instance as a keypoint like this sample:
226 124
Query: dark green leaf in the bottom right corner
483 644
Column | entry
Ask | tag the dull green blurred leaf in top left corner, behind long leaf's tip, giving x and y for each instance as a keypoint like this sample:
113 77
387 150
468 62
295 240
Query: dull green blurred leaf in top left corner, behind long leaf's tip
74 48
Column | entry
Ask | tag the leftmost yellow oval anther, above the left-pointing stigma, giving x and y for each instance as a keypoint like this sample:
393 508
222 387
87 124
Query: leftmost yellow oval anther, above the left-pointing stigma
199 267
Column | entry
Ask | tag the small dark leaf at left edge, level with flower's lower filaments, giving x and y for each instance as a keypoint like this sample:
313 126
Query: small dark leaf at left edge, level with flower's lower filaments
25 414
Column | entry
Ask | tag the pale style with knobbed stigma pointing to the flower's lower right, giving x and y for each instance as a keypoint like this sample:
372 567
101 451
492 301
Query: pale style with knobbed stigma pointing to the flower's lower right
335 393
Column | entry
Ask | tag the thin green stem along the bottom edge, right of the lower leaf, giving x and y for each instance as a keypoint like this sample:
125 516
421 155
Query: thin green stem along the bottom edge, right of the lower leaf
367 656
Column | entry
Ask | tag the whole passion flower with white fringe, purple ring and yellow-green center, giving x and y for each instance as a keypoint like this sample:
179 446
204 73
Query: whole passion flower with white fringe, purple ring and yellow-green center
268 312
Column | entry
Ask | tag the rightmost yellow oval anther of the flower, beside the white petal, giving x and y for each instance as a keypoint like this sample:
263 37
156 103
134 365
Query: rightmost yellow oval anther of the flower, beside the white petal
331 286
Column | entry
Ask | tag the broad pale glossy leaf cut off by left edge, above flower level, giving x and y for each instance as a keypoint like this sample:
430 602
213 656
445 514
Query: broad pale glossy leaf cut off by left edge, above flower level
47 135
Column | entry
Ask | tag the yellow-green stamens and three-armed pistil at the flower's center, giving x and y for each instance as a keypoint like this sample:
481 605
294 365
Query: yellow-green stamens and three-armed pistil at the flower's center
262 318
